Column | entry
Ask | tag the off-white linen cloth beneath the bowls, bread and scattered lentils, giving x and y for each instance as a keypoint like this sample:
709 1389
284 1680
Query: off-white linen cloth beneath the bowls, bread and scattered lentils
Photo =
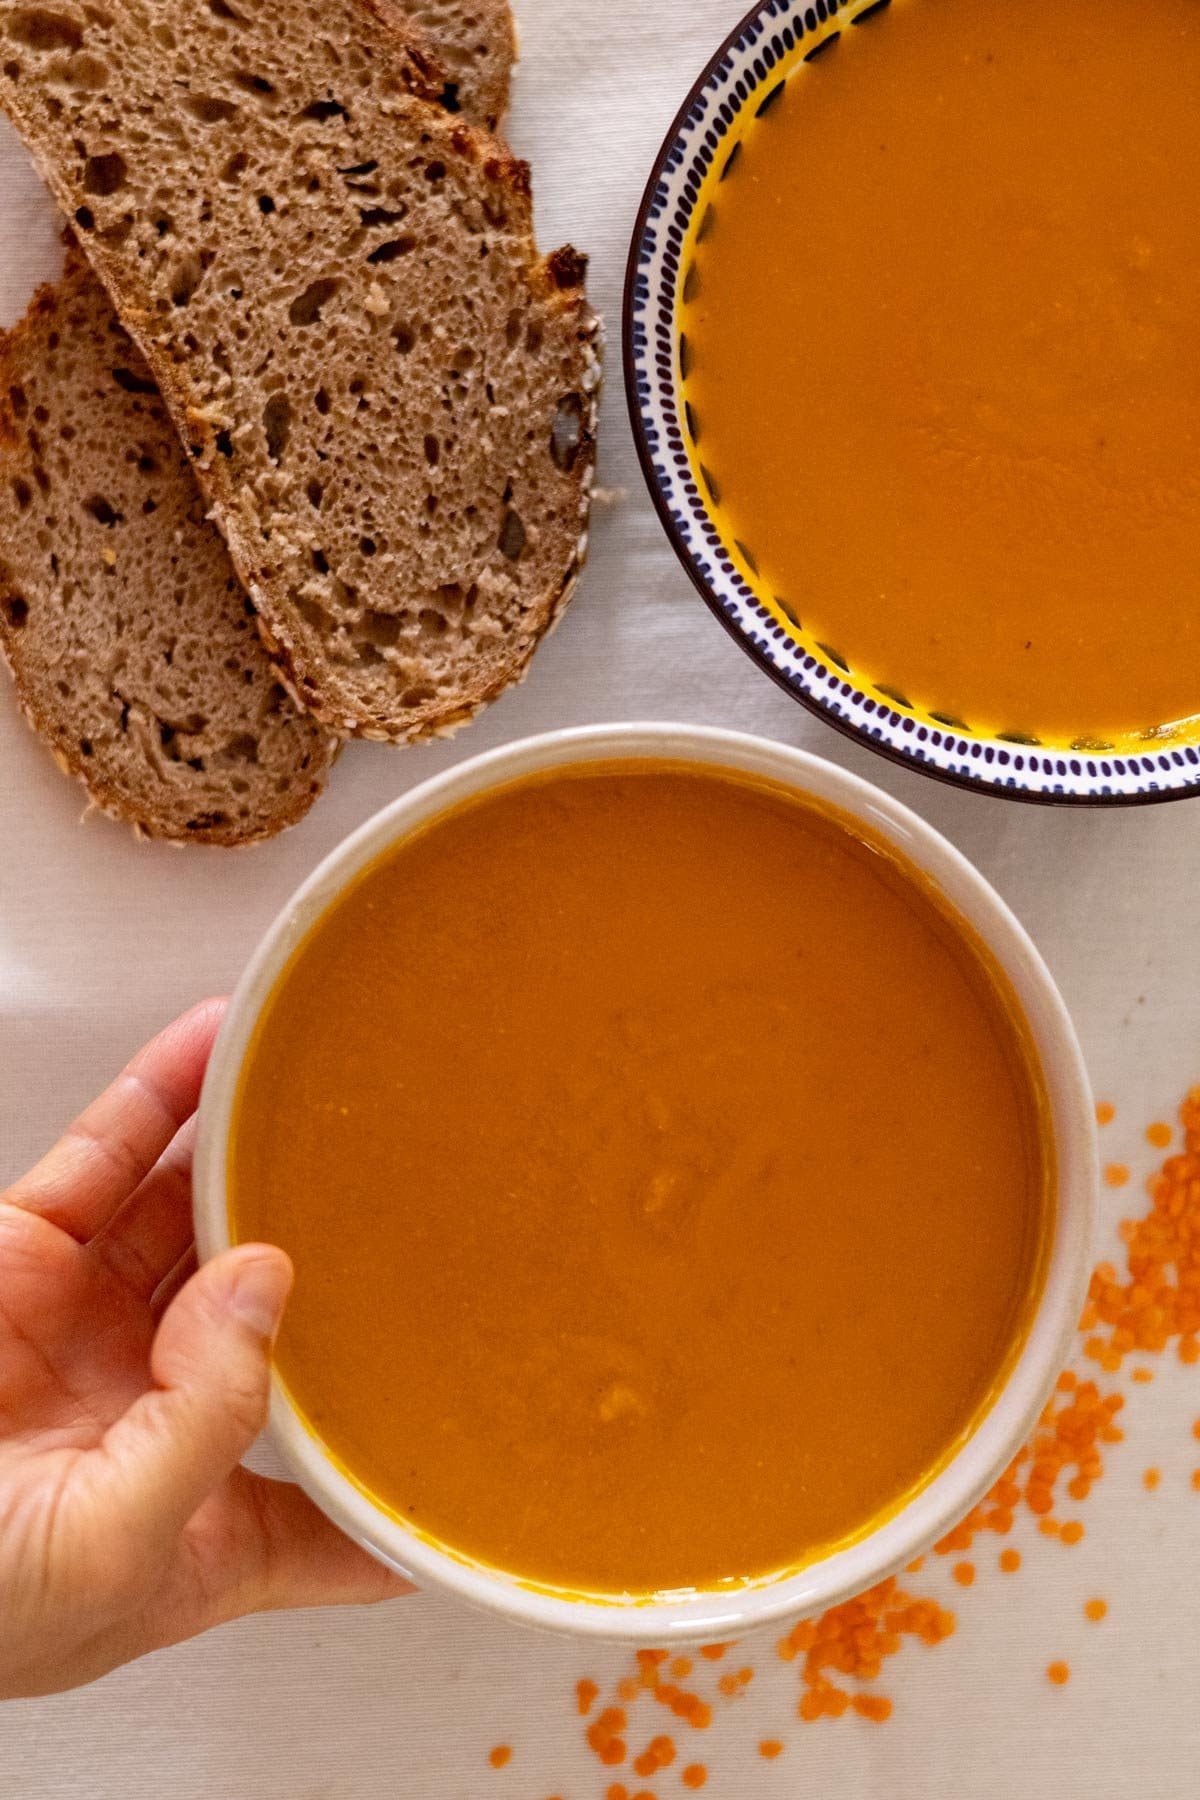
103 939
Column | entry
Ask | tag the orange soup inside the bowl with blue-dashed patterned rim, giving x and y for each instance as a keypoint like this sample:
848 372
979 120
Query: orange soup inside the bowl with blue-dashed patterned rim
945 366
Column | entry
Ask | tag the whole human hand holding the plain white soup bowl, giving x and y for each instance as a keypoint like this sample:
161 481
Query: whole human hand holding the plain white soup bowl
127 1522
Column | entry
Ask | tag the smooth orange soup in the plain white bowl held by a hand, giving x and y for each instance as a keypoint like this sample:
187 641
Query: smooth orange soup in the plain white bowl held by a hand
665 1174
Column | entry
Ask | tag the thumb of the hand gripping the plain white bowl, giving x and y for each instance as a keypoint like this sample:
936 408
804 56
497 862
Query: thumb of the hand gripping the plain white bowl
211 1369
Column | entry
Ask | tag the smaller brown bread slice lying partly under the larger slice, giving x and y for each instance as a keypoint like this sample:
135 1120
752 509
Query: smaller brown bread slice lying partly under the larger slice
121 616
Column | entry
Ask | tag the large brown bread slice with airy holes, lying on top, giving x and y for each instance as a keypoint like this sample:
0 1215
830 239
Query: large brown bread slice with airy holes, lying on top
388 397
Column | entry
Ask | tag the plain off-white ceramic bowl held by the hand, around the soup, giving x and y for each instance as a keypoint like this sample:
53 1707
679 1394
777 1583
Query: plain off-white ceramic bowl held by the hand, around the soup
1012 1416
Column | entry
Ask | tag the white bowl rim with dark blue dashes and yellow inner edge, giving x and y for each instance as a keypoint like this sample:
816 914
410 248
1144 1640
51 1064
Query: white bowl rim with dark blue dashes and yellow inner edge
744 78
